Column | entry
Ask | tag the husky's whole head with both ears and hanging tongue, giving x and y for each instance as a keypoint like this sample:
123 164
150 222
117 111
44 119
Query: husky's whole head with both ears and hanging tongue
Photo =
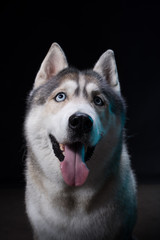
70 111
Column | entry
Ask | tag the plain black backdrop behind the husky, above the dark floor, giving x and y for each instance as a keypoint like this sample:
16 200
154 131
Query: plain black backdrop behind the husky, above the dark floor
84 30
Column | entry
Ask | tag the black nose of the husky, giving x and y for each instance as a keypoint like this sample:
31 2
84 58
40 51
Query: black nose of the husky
81 122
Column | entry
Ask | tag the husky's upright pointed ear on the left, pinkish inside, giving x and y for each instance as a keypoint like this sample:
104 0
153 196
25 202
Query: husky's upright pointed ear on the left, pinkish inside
54 62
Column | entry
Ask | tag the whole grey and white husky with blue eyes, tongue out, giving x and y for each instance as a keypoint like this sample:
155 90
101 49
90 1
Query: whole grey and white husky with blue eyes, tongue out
79 183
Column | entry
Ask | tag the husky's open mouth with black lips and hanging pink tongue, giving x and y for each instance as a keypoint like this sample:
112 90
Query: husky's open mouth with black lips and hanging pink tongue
73 157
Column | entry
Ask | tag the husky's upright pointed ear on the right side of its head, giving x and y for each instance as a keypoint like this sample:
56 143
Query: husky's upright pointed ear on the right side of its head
106 67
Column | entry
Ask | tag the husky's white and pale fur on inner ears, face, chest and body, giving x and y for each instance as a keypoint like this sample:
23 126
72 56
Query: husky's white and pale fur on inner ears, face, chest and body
104 207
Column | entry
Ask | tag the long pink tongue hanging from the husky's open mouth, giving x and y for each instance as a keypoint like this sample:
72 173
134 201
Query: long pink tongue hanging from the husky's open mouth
73 168
